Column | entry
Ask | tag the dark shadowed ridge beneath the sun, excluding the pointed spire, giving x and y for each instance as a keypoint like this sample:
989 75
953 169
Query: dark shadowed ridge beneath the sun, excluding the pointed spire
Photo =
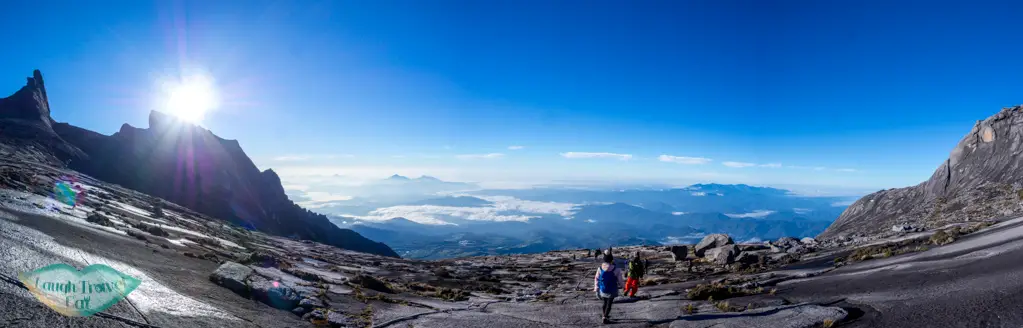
191 166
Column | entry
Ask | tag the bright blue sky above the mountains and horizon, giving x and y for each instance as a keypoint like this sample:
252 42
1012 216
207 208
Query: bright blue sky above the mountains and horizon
874 92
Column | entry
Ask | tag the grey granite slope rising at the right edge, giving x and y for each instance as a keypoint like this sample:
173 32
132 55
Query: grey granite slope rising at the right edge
981 180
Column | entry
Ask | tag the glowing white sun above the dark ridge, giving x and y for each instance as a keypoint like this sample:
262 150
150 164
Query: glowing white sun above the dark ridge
191 99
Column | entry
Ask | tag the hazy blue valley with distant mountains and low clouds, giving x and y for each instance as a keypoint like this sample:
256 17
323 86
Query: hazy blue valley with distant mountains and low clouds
427 218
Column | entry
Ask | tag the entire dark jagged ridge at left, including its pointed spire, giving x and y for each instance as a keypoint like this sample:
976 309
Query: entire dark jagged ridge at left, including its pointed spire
174 161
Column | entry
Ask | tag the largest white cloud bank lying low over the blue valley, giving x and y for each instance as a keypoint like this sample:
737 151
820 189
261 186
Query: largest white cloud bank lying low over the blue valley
504 209
